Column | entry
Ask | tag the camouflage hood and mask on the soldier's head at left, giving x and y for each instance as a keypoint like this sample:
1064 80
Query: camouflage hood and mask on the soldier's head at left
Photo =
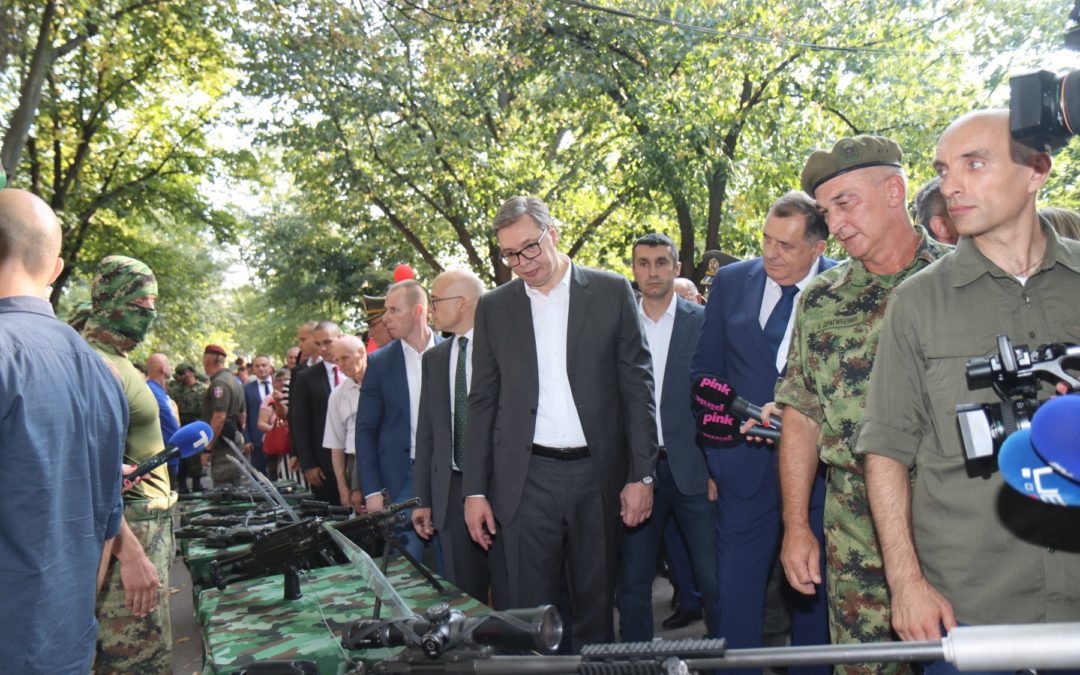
114 320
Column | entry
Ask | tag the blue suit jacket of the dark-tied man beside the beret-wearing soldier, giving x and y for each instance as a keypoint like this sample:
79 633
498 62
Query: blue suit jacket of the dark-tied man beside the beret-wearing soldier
733 347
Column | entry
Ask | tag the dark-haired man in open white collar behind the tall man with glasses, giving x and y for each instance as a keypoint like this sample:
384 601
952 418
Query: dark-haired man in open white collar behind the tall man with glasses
671 328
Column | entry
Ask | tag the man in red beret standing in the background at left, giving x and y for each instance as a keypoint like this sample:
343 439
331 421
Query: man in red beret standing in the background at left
222 408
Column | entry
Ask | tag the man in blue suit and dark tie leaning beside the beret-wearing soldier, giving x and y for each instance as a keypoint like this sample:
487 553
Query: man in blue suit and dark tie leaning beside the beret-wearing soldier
745 343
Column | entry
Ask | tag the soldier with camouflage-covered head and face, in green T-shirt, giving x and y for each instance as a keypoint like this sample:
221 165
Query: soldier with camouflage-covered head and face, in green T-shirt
133 612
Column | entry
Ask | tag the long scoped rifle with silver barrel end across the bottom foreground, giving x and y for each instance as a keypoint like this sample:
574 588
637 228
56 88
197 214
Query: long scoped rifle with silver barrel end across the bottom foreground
448 642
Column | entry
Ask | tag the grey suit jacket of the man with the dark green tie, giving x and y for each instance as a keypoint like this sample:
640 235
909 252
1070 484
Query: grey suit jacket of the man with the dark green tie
435 434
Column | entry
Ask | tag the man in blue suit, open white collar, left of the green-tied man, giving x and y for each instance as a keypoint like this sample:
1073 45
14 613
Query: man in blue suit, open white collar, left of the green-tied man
390 404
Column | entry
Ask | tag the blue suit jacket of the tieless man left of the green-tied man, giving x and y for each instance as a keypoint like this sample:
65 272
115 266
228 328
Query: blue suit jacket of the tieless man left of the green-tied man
384 423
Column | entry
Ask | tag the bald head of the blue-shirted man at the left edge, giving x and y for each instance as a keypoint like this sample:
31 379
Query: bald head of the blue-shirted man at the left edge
30 244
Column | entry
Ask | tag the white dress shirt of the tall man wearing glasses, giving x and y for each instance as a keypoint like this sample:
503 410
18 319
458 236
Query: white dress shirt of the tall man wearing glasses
558 422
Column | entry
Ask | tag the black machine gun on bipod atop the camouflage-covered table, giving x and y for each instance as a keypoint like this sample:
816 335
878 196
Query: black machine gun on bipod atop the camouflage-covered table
299 546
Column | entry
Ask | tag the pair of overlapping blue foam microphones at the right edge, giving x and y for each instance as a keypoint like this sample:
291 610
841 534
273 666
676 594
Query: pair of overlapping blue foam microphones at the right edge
1044 462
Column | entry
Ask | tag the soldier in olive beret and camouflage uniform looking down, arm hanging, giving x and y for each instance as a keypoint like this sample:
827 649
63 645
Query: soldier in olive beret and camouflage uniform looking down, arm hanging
861 188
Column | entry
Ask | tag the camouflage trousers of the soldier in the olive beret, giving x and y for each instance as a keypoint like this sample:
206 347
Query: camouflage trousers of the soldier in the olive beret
859 610
